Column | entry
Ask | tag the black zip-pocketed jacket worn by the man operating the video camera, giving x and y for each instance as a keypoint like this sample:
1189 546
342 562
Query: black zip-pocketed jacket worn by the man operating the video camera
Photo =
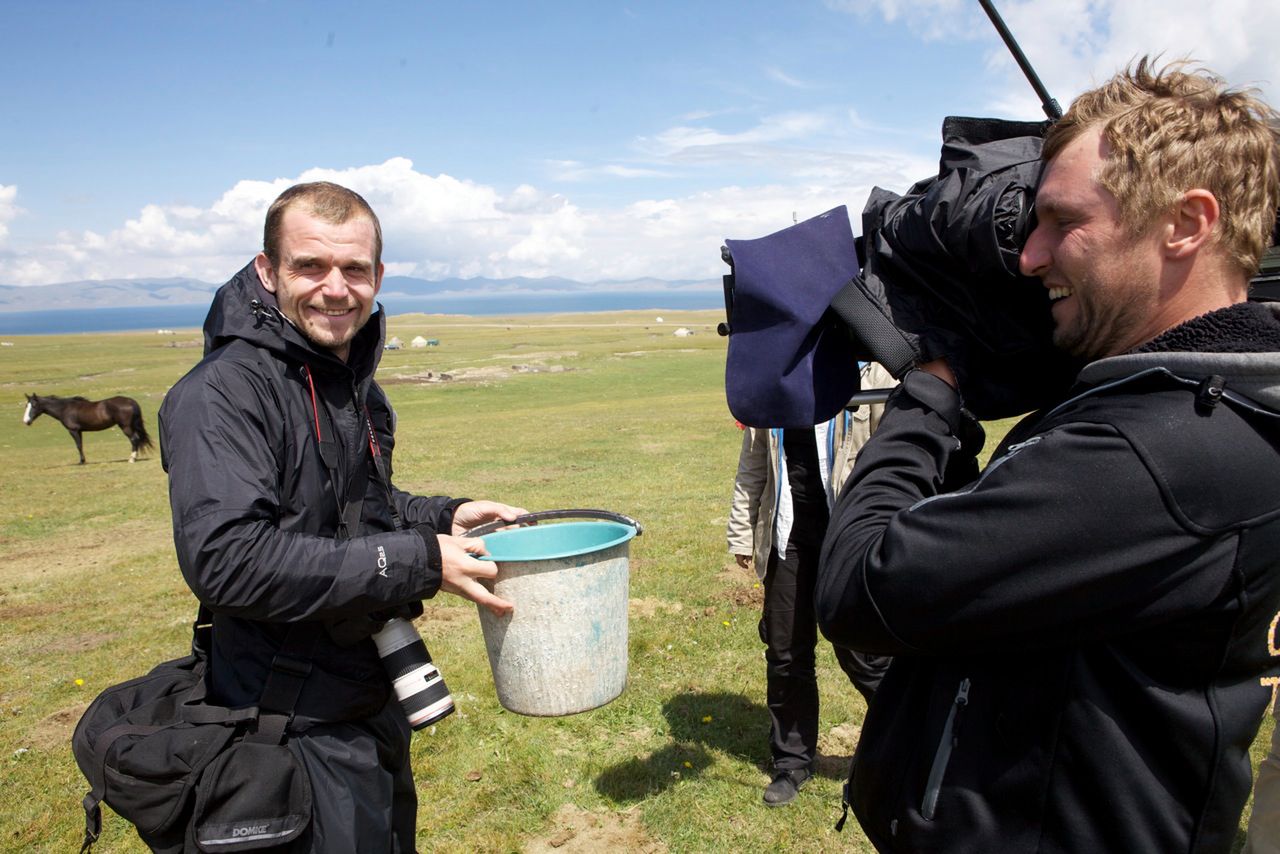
1084 638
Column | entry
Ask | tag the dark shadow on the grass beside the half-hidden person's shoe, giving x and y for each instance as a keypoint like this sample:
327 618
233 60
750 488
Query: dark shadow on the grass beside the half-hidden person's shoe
700 724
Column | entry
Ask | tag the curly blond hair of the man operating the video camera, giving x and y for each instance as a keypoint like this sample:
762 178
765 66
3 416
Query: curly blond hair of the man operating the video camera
1181 129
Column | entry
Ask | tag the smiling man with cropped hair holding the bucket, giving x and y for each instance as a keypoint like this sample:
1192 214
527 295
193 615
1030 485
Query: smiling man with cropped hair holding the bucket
278 449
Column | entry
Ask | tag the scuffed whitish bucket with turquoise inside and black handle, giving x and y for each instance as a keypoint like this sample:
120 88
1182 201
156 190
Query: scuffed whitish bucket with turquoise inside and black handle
564 650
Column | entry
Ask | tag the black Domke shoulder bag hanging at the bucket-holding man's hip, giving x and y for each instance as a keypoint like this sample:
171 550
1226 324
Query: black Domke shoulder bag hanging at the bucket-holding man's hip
191 775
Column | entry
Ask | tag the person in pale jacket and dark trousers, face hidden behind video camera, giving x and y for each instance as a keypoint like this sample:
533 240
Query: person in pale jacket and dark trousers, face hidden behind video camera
778 524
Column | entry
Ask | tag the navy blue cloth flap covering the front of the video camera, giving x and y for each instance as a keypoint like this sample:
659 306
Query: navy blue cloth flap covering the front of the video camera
787 366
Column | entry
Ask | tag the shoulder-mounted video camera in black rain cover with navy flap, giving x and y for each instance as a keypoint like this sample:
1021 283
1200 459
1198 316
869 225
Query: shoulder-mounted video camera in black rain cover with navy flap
935 273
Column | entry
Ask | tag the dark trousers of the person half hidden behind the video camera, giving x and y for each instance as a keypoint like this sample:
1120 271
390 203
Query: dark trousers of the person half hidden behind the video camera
790 633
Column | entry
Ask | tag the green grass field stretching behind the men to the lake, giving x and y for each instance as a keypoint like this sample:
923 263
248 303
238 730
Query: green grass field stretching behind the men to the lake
604 410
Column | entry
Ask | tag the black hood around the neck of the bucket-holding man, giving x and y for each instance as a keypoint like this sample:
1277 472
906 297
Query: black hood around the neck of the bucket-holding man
244 309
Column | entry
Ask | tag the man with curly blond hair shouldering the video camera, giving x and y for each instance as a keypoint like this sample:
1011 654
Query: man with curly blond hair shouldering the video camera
1085 636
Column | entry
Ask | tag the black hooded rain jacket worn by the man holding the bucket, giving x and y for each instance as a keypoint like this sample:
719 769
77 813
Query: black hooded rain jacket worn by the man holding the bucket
257 514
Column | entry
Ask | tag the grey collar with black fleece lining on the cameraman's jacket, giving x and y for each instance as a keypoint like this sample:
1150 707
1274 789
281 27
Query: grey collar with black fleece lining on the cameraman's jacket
1251 375
